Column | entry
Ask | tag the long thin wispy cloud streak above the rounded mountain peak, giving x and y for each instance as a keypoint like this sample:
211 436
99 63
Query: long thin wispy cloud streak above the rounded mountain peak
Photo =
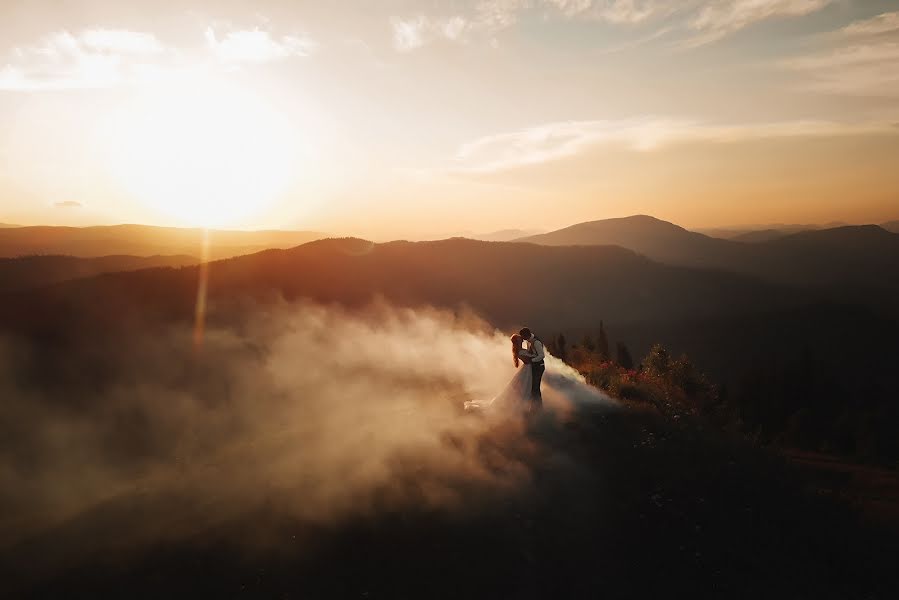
556 141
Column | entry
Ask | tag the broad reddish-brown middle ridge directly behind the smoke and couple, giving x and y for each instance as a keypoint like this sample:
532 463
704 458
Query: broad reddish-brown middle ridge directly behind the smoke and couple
567 288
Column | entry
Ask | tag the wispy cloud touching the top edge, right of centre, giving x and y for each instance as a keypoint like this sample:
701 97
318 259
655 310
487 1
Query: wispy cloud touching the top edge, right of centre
718 19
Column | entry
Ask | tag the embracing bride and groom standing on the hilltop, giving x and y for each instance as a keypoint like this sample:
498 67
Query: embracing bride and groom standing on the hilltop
523 392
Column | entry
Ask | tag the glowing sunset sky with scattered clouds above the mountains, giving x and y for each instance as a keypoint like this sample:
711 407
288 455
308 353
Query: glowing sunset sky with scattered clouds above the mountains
401 119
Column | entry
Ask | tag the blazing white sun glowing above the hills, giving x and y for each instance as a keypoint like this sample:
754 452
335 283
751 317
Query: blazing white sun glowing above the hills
206 155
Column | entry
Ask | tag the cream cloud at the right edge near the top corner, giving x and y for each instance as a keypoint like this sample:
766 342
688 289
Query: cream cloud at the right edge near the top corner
864 61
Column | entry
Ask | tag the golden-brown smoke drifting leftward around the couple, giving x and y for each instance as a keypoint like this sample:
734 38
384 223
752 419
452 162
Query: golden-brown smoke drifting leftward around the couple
319 412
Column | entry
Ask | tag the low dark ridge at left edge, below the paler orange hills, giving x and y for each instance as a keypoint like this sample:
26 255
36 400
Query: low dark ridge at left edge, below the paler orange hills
32 271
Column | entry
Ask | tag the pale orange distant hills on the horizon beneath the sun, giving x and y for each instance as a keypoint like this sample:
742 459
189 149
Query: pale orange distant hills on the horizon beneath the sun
141 240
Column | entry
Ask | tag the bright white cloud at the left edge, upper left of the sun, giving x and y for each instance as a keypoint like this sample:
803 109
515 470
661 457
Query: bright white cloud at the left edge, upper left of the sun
95 58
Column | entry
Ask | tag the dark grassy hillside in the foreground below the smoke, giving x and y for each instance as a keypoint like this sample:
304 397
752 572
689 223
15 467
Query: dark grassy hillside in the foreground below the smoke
618 503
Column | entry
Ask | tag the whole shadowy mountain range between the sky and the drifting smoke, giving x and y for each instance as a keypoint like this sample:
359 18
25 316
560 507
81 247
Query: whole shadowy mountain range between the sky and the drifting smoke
799 332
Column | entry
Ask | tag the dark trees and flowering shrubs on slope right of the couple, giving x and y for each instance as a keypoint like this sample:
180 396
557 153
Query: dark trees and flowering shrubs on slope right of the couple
798 403
